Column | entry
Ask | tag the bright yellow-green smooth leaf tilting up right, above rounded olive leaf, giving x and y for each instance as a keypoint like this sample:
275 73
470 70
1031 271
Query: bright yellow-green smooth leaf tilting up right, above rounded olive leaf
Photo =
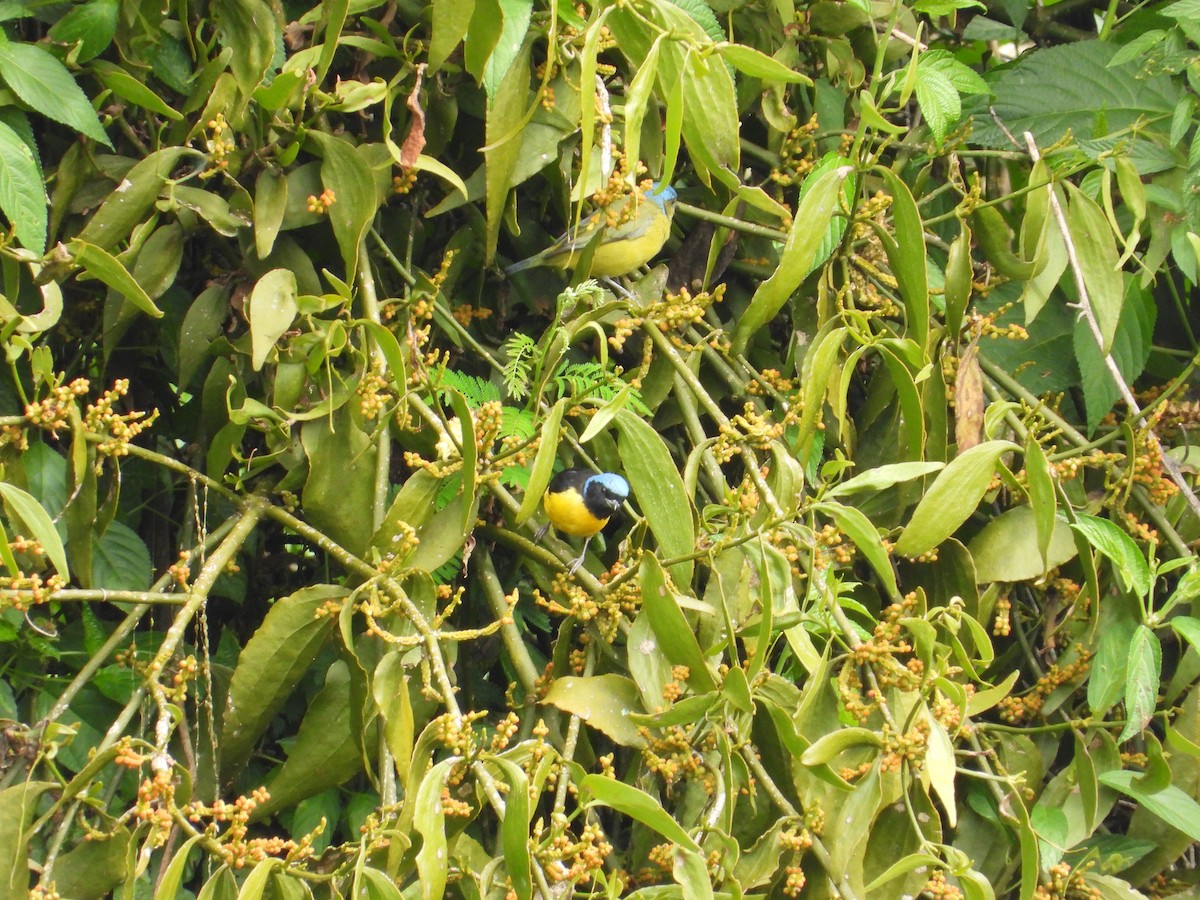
952 499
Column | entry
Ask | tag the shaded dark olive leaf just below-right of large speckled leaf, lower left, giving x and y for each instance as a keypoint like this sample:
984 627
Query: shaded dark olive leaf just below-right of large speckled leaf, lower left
325 754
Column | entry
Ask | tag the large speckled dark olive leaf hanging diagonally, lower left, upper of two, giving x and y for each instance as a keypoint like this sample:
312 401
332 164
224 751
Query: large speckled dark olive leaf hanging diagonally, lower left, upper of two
271 667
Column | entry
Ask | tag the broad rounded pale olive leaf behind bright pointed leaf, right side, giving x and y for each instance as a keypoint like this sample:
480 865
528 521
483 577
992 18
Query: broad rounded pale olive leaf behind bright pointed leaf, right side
1007 548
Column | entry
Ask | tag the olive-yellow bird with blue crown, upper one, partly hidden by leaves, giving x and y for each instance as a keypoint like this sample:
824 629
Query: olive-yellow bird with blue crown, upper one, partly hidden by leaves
631 239
